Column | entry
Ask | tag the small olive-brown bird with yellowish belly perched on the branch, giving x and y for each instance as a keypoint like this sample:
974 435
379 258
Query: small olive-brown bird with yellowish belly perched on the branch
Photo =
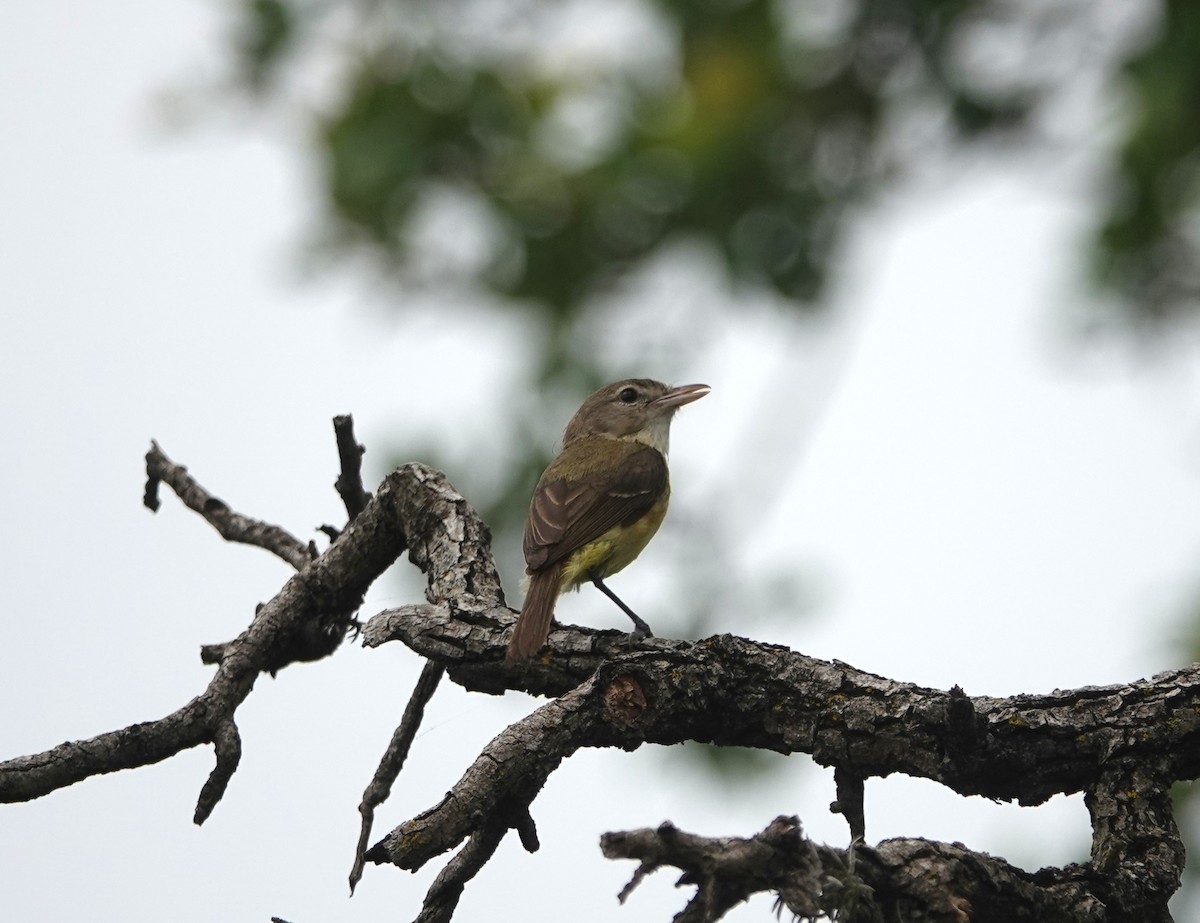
601 501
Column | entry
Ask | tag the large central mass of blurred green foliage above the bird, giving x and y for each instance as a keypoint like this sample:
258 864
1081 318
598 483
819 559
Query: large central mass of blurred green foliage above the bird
754 127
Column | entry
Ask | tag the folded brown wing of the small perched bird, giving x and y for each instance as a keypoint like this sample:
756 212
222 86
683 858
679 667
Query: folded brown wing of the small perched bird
566 516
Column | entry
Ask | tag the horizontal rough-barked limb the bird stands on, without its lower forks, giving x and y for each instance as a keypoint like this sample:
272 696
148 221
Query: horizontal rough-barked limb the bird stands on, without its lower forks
735 692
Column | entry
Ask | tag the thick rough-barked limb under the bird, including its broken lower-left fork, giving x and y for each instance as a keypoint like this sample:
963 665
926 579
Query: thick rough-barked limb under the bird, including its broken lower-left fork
1123 746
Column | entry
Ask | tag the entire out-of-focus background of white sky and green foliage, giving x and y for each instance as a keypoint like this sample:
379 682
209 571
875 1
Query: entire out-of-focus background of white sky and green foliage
938 262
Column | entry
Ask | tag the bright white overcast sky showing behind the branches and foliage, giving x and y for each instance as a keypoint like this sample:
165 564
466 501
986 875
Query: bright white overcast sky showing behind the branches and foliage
983 500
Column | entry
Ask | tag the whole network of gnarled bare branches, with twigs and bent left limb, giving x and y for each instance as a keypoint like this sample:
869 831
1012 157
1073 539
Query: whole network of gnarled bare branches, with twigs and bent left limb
1123 746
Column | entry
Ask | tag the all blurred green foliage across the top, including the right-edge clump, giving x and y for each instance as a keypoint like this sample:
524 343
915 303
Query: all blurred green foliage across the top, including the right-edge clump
754 128
